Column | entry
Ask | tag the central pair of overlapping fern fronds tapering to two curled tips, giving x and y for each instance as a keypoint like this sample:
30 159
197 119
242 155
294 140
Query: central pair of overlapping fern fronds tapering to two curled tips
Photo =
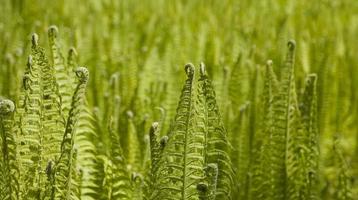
195 162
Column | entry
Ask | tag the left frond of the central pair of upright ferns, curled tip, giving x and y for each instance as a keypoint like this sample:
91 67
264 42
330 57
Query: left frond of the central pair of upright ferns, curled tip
181 166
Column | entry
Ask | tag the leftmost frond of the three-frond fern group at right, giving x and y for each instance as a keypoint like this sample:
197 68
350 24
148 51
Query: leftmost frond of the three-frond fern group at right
261 171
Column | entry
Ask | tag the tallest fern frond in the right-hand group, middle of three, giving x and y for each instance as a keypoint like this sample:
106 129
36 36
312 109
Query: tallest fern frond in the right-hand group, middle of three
284 111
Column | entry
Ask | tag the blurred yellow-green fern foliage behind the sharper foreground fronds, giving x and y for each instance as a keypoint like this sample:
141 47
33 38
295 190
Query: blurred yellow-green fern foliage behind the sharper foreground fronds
144 44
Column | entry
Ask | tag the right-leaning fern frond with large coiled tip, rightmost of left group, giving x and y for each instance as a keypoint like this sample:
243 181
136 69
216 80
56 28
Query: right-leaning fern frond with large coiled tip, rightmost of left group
66 174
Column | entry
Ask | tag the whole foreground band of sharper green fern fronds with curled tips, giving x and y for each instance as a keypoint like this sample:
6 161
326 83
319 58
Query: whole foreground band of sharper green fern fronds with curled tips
55 147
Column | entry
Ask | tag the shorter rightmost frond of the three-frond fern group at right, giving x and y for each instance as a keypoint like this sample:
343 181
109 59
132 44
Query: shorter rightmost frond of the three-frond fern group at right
302 163
